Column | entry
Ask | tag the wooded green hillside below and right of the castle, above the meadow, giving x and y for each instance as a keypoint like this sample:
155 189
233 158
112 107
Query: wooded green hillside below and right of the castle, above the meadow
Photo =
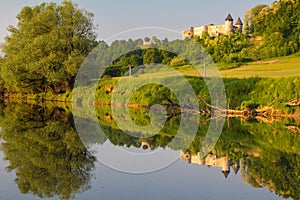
278 24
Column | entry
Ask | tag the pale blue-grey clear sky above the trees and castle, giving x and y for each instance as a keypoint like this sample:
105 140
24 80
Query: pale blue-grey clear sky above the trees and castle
115 16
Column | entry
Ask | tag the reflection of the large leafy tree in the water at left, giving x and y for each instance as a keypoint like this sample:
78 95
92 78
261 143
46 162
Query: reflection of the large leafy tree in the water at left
45 151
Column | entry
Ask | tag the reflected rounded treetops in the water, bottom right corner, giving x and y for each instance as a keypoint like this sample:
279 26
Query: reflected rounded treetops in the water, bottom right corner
278 171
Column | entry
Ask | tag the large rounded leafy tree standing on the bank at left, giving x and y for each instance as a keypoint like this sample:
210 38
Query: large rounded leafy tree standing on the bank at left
46 48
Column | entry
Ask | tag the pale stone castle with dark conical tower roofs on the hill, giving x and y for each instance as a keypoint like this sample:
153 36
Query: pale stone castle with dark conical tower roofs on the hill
215 30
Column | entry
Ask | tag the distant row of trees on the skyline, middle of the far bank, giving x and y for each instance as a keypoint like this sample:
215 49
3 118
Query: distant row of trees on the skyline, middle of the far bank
154 53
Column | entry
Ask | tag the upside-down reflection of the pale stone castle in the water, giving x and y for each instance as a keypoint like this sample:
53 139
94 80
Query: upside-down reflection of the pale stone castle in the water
212 160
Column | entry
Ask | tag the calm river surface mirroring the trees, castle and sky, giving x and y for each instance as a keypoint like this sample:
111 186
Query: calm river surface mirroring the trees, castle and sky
42 157
